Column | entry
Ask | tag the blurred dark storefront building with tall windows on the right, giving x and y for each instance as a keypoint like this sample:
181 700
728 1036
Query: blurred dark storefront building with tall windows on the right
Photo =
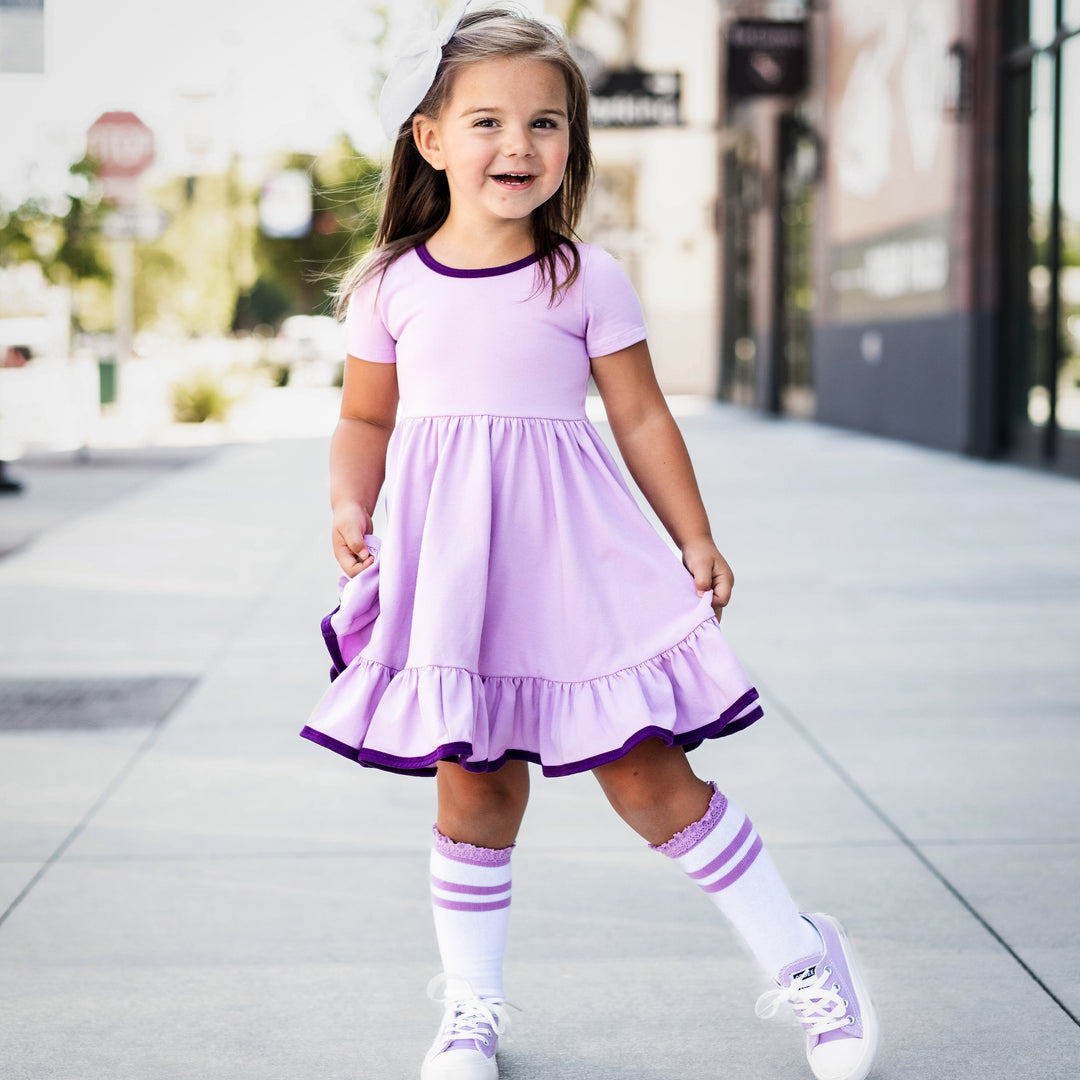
900 183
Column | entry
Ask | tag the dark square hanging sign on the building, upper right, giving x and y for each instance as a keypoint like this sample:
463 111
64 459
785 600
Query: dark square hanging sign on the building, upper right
767 57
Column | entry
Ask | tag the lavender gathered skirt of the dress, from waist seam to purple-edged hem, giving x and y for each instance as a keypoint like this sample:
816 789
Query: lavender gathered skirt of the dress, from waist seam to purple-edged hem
520 606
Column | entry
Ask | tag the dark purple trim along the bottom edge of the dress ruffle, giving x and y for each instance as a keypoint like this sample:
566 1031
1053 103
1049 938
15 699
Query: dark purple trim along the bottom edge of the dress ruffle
460 752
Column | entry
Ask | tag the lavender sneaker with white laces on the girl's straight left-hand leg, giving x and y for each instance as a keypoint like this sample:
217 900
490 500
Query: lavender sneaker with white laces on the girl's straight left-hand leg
468 1036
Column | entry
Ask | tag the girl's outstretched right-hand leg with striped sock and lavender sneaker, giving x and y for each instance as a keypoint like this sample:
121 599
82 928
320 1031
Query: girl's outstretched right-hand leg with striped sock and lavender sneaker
809 957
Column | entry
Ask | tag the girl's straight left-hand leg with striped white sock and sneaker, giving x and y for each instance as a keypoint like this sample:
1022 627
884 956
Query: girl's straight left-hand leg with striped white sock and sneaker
479 818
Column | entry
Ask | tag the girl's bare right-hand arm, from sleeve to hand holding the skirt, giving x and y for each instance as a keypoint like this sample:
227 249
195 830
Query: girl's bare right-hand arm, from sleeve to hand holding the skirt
657 457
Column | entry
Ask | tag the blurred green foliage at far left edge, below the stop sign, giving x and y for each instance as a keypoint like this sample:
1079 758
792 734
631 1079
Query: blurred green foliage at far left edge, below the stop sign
65 240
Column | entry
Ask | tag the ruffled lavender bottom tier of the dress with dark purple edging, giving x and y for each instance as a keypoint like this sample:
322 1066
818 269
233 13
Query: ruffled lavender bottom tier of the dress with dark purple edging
408 721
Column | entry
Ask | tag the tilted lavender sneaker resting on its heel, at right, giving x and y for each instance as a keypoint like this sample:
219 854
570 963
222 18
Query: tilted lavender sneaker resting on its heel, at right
832 1003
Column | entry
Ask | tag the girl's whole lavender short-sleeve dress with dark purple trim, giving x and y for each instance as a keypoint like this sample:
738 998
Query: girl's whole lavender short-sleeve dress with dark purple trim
521 606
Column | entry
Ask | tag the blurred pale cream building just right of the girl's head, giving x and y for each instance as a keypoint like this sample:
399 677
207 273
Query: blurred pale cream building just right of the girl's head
656 137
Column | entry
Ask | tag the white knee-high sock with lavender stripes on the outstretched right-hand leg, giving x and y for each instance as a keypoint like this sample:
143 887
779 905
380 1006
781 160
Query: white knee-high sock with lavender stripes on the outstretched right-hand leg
724 855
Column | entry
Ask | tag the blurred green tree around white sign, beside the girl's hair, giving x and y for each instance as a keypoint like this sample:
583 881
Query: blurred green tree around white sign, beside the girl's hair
345 217
